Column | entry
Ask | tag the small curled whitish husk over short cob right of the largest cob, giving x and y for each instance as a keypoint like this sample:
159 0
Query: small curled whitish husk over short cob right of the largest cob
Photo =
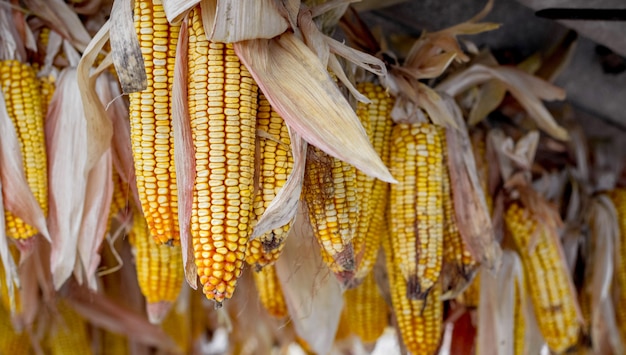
284 206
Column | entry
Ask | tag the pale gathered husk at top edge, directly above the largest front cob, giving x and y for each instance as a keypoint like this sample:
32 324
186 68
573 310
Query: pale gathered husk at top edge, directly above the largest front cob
231 21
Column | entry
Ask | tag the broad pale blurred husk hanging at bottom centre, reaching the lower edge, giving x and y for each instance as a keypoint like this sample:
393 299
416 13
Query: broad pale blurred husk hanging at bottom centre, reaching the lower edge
312 294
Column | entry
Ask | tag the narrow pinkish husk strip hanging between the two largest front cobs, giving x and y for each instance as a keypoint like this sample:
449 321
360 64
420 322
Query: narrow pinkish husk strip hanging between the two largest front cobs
184 156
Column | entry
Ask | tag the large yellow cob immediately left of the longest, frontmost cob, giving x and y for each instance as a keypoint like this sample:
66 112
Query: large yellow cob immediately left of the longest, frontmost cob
151 126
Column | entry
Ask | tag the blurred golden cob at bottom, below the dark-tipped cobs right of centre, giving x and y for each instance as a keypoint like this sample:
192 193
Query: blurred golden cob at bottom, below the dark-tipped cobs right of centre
366 310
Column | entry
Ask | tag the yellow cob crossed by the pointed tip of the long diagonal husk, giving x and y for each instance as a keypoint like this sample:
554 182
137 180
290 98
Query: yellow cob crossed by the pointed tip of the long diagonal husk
376 119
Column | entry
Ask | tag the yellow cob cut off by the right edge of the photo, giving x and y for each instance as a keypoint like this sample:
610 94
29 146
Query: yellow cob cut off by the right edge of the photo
618 196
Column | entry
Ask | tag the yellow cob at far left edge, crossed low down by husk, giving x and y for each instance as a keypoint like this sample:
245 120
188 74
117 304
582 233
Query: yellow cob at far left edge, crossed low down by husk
20 88
